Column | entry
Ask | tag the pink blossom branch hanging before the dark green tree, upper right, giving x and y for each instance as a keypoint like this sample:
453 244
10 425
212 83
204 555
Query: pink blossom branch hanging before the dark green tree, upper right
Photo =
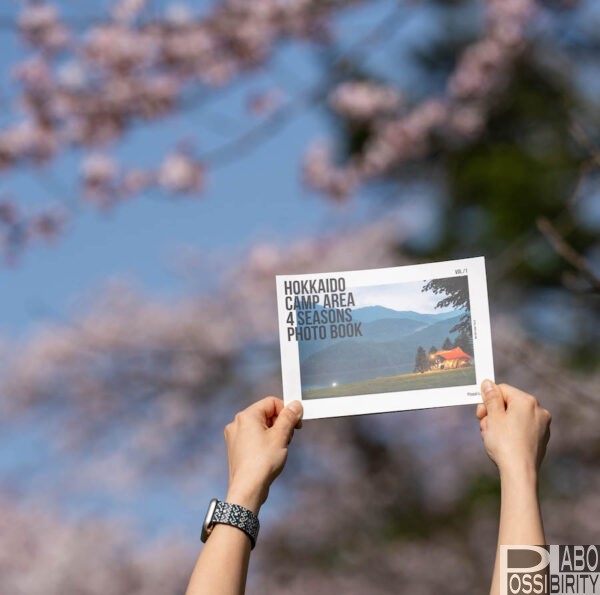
397 134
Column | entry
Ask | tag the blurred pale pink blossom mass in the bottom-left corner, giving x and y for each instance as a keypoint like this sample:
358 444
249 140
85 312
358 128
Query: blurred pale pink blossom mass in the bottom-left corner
41 552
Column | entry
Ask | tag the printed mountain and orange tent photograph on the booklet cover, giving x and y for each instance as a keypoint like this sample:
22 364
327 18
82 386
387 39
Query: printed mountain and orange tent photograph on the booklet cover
395 337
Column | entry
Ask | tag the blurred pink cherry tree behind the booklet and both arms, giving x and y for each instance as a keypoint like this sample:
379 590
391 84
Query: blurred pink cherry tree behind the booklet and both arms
377 502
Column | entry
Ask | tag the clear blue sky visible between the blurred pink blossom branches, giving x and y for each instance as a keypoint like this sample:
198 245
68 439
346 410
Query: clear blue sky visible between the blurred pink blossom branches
258 196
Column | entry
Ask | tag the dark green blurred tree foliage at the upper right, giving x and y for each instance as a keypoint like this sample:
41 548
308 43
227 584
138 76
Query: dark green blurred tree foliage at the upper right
515 194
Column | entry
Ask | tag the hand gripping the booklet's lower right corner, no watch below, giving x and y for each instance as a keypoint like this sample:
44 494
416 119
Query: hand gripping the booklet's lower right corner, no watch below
514 427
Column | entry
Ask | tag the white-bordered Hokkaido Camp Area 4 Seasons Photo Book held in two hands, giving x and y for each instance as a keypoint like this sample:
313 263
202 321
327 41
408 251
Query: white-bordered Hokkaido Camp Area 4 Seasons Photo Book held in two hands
389 339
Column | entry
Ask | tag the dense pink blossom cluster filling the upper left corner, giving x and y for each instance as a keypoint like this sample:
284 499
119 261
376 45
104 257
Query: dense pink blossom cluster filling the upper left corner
118 71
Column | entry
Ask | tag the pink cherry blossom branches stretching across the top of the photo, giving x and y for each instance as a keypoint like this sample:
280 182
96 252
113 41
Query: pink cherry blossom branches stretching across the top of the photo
83 88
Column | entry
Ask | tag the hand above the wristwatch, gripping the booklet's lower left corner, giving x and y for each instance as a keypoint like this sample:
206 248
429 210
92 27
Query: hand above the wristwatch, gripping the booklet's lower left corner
257 441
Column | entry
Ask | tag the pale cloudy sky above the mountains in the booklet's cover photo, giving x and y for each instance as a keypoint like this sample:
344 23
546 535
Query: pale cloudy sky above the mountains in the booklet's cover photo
399 296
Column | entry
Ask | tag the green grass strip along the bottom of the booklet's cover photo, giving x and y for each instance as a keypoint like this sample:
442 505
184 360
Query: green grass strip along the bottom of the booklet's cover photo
389 384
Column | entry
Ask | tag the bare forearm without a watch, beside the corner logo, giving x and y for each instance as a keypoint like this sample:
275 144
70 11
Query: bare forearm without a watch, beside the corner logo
520 516
